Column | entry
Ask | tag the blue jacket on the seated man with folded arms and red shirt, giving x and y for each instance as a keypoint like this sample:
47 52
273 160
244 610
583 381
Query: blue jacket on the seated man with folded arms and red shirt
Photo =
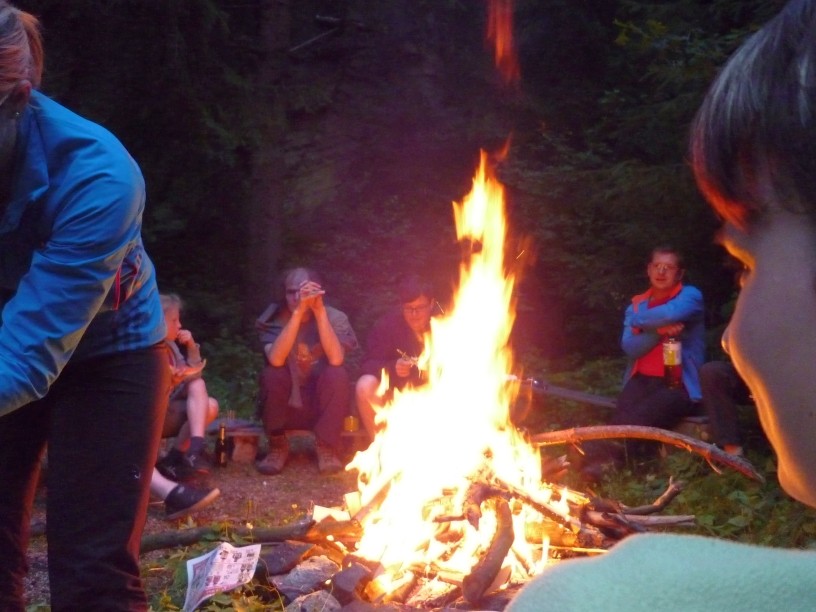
640 336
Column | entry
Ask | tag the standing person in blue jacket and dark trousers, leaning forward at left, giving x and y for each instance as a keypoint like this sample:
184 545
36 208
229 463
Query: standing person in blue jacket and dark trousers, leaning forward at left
81 341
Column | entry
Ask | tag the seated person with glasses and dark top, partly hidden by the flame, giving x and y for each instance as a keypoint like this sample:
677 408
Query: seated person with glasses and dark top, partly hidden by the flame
395 342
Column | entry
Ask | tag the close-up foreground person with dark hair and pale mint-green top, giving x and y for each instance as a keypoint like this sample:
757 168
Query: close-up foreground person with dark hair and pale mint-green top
753 145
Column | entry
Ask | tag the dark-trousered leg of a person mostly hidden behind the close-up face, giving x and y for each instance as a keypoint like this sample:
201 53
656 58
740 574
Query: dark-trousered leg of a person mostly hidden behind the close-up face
723 390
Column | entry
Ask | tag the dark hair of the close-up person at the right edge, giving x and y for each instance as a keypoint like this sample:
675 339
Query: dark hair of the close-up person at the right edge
753 141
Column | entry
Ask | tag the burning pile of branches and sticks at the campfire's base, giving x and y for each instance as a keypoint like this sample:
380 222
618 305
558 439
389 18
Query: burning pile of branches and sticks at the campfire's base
570 522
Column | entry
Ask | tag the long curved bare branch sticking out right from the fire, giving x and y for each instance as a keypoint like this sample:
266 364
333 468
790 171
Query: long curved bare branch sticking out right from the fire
710 452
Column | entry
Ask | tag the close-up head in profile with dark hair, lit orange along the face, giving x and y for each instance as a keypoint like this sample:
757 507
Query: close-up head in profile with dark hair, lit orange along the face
753 148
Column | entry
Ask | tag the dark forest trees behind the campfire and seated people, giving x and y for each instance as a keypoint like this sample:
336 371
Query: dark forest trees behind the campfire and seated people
336 133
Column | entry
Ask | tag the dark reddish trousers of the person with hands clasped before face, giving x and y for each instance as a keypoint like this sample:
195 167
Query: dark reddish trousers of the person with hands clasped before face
325 396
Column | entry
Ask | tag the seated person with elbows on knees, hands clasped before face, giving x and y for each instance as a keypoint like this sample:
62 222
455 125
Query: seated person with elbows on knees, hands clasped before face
303 384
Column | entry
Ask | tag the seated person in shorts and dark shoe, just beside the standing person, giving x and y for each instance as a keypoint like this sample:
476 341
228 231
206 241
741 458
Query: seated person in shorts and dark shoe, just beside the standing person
190 408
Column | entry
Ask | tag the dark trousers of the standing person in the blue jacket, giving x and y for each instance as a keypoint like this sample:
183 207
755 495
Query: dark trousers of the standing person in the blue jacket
101 422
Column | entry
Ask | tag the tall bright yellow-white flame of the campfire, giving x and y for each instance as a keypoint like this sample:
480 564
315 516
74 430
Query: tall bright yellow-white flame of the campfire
436 438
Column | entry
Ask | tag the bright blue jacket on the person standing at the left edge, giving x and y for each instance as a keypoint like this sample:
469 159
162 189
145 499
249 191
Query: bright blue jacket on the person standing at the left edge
75 281
